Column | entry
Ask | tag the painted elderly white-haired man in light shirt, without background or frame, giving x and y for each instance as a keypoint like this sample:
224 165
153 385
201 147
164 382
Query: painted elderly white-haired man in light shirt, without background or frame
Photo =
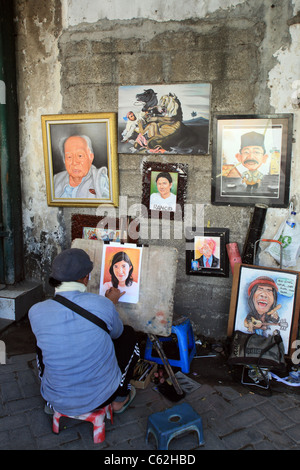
80 179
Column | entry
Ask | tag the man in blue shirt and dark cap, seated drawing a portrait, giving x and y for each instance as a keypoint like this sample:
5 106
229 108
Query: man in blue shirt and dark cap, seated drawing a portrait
82 366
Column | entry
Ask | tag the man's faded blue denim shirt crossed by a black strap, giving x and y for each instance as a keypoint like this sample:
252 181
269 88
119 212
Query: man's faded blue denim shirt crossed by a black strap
81 370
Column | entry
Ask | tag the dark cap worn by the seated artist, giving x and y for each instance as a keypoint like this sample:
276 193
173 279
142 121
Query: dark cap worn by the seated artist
71 265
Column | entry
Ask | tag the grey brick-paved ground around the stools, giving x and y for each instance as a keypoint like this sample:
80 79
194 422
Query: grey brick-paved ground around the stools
233 417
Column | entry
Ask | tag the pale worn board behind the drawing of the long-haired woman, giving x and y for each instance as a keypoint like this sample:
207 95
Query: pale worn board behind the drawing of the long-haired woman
153 313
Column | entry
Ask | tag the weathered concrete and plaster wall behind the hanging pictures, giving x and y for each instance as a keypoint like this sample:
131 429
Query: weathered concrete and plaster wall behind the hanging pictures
72 57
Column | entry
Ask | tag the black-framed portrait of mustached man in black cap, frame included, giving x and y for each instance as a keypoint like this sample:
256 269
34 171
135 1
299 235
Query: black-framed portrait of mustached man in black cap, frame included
251 160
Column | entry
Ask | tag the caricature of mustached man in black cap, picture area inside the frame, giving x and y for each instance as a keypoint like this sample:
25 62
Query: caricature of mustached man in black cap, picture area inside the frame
250 155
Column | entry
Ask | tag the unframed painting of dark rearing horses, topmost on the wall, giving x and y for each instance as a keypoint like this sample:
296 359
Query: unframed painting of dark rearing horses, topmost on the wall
170 119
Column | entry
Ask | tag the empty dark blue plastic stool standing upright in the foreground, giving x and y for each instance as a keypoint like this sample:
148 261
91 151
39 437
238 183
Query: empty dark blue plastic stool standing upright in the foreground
168 424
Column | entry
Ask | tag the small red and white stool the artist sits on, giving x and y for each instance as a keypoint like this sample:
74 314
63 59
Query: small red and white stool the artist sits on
96 417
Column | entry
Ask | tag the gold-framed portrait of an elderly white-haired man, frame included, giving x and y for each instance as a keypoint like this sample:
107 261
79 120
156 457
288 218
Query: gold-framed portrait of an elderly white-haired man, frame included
81 160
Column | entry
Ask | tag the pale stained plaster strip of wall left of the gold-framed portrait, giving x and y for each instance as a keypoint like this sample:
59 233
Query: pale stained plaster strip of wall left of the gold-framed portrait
39 93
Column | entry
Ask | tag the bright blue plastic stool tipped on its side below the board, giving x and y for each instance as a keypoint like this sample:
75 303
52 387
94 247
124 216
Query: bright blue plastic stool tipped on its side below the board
186 345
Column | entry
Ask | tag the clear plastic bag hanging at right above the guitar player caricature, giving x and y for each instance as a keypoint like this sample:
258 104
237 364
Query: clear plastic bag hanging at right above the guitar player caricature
289 235
